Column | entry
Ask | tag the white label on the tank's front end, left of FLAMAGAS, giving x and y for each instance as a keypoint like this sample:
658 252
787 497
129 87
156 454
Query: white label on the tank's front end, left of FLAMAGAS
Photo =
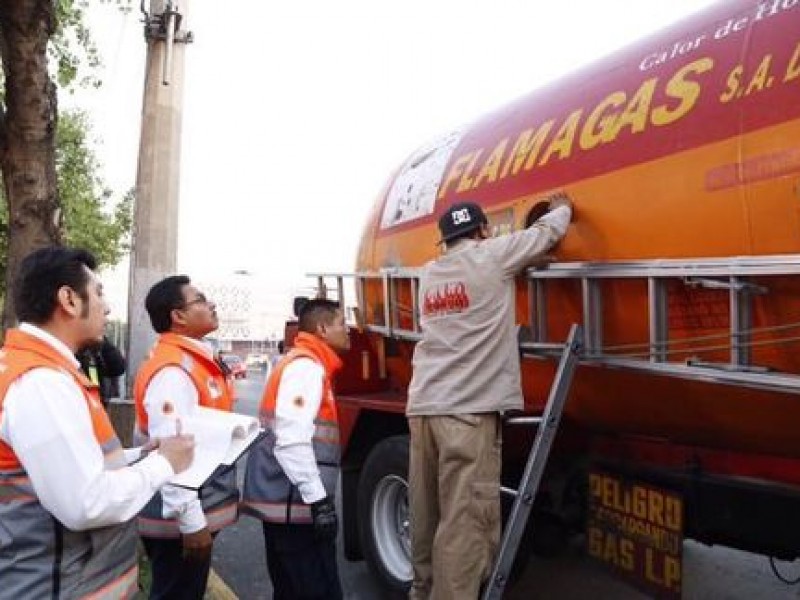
413 193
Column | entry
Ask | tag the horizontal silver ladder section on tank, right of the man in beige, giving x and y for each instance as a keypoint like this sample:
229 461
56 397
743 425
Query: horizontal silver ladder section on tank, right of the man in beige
741 278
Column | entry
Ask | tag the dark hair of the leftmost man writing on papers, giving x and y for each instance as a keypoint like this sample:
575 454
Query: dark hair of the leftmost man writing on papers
42 273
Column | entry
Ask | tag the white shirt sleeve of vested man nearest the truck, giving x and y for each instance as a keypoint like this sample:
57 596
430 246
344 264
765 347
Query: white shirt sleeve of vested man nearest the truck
296 407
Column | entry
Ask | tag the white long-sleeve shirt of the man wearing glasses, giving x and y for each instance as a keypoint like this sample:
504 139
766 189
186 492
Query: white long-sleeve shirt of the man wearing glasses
172 385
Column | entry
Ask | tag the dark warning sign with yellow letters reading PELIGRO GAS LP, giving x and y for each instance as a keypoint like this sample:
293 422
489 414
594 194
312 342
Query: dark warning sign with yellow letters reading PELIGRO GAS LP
637 530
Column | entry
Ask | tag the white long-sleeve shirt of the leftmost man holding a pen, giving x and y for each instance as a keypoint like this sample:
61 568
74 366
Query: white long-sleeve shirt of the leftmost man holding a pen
47 423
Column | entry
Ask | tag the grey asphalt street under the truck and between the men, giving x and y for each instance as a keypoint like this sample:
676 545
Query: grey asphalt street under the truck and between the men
709 573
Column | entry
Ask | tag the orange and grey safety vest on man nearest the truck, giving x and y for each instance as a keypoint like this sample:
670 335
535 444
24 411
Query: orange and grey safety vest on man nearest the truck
268 493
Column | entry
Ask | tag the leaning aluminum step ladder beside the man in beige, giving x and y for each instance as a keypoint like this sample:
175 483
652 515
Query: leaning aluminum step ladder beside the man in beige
547 427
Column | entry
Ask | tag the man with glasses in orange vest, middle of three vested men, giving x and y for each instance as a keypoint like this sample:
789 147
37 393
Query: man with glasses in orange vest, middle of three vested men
181 374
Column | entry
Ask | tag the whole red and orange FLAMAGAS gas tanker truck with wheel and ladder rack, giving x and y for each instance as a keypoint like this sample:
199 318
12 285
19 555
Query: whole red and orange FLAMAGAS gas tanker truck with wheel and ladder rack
681 155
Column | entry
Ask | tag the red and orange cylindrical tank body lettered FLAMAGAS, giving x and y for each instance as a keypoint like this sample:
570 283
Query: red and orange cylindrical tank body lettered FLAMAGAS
685 146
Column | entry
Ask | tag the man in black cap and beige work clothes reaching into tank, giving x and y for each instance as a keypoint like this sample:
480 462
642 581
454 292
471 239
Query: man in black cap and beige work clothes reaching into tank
465 375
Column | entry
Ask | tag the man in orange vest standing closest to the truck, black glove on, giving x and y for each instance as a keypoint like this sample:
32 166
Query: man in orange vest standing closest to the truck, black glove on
290 481
